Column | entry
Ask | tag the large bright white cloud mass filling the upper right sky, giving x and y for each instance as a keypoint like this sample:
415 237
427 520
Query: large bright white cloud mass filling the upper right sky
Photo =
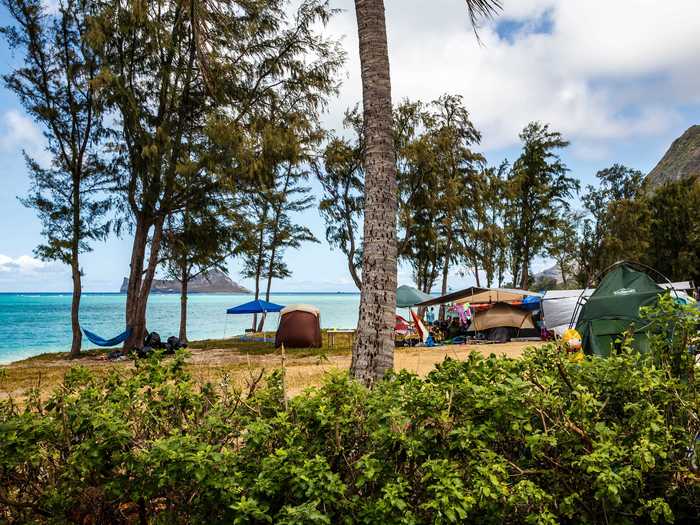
606 70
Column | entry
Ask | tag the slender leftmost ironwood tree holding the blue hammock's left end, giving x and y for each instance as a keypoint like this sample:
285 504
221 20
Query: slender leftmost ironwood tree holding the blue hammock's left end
56 84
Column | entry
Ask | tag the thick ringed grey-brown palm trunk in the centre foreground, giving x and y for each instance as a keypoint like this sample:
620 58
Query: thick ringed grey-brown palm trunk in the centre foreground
373 349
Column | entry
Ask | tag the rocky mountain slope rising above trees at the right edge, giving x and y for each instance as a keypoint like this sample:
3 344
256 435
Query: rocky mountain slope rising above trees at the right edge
681 161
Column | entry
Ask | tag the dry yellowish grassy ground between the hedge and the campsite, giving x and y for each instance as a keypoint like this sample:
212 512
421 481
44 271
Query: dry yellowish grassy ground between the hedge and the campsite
234 361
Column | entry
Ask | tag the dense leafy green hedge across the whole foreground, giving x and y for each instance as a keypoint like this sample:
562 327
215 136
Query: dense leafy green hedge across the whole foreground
489 440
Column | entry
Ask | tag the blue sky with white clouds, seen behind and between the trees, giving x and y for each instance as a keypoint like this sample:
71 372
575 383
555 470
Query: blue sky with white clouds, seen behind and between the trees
620 79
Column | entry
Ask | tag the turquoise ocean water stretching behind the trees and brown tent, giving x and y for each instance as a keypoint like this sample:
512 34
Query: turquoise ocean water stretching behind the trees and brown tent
34 323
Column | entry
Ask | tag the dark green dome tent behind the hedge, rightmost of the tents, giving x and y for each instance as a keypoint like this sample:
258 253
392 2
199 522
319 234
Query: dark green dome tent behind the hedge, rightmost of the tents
614 308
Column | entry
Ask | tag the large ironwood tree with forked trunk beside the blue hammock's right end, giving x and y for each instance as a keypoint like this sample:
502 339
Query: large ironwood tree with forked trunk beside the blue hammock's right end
180 70
